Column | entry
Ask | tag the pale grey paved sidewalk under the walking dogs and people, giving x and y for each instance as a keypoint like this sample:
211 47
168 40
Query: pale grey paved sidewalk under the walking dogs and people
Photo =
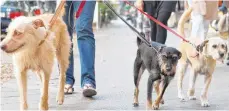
115 54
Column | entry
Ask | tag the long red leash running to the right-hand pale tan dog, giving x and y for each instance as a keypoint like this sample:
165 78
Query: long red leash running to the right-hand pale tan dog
158 22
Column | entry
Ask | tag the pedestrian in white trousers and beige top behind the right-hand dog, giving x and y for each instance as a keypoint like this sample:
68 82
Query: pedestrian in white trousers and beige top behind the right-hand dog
203 11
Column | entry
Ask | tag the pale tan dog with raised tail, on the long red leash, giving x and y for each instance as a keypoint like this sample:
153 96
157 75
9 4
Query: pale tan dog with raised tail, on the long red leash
210 51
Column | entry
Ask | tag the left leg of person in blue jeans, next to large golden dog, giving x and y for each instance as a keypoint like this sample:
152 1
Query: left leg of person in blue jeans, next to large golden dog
69 20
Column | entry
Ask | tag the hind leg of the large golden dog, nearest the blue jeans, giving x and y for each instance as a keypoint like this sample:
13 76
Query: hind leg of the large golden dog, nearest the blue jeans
62 53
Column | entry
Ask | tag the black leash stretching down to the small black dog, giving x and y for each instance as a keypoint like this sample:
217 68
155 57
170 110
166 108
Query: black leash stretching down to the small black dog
139 35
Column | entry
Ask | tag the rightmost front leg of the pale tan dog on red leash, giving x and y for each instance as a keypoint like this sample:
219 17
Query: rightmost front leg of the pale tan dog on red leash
204 98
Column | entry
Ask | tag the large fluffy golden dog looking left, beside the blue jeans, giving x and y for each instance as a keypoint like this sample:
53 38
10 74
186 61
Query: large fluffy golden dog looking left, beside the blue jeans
24 42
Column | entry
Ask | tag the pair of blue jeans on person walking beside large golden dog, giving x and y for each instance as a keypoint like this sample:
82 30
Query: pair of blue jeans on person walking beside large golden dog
85 39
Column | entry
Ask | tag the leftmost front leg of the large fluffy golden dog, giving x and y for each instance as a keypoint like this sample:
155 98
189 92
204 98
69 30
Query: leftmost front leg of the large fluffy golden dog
21 77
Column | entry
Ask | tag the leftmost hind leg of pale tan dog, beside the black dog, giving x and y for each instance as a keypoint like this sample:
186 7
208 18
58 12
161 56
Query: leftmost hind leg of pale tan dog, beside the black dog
181 70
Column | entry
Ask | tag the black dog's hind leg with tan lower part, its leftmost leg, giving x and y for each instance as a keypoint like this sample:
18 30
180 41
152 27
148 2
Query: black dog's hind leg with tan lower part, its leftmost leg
139 69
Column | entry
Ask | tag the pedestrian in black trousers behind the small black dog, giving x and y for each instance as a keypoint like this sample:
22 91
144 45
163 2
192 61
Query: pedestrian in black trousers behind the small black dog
161 10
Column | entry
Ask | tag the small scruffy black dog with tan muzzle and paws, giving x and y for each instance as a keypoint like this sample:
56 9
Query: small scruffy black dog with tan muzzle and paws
161 62
